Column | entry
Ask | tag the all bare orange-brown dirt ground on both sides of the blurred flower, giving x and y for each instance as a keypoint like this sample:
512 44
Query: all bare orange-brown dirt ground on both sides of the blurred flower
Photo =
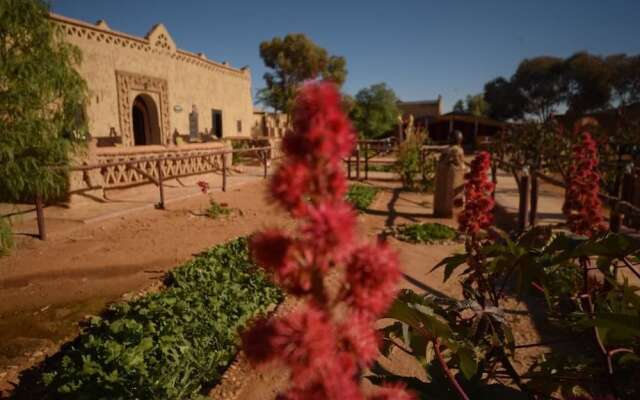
46 288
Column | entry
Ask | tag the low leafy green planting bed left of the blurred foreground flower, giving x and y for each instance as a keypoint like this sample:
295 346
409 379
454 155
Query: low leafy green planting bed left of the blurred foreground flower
166 345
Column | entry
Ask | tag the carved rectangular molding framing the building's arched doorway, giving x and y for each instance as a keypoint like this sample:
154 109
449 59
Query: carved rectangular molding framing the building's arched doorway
129 85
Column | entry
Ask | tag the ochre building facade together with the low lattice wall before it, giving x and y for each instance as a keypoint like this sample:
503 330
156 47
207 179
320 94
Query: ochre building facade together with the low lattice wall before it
147 98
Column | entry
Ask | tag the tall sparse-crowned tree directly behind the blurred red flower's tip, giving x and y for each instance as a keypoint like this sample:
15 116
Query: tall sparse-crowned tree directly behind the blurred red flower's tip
295 59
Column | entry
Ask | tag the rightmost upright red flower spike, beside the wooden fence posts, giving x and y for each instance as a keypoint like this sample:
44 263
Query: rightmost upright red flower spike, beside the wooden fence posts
582 205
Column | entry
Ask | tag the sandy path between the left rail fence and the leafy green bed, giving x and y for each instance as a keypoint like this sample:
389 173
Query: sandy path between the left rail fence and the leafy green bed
47 287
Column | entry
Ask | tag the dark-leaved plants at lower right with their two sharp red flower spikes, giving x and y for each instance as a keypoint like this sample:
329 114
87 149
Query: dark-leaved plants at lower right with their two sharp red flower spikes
476 332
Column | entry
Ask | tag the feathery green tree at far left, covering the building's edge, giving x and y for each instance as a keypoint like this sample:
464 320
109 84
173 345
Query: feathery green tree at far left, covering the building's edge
41 104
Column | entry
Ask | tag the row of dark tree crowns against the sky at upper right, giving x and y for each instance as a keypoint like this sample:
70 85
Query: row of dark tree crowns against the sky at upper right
583 83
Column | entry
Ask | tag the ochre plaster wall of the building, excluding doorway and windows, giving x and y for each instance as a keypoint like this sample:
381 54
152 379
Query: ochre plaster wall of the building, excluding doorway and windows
190 80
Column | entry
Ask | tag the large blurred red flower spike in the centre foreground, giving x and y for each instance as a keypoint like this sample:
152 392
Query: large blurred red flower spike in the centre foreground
331 338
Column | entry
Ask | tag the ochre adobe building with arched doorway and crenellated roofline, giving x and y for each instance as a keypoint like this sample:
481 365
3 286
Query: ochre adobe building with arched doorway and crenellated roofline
144 91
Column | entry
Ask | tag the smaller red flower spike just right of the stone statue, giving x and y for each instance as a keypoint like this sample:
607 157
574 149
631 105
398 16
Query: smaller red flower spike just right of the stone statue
479 203
